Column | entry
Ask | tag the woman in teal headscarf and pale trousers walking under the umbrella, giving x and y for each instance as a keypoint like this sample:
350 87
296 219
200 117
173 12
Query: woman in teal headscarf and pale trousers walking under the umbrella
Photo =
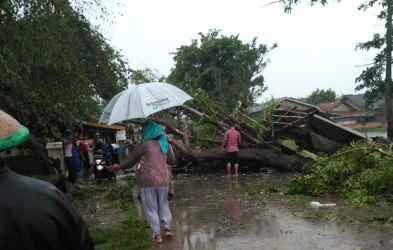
153 156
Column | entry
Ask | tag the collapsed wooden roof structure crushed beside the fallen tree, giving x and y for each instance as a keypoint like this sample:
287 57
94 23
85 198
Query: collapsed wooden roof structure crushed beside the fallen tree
302 127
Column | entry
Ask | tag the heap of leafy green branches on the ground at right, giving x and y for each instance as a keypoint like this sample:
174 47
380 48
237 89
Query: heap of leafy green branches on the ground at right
362 173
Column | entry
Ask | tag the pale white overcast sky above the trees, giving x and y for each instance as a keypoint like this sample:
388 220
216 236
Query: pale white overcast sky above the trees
316 45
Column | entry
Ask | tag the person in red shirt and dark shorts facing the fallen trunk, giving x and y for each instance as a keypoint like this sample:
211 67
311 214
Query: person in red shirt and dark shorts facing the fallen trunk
231 142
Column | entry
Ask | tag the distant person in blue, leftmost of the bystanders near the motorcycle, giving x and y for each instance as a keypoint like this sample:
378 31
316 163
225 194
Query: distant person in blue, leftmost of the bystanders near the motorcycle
70 157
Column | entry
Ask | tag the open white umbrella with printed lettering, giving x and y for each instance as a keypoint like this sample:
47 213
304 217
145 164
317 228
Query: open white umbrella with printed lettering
142 100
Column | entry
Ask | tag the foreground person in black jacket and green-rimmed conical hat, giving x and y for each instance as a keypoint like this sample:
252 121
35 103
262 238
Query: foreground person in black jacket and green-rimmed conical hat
34 214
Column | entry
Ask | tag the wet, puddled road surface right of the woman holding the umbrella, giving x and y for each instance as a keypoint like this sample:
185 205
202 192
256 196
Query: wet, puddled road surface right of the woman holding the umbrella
213 212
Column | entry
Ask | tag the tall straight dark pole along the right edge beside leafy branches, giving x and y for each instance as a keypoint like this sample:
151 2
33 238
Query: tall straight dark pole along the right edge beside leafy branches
388 80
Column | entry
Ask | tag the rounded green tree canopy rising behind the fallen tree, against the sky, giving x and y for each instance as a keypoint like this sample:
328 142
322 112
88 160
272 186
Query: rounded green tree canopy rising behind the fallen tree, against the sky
228 70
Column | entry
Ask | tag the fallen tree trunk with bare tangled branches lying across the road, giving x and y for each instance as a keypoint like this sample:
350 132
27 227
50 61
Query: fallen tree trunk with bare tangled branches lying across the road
258 145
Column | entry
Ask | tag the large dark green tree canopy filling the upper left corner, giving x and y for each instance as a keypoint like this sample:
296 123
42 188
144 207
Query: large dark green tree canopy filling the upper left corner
55 66
